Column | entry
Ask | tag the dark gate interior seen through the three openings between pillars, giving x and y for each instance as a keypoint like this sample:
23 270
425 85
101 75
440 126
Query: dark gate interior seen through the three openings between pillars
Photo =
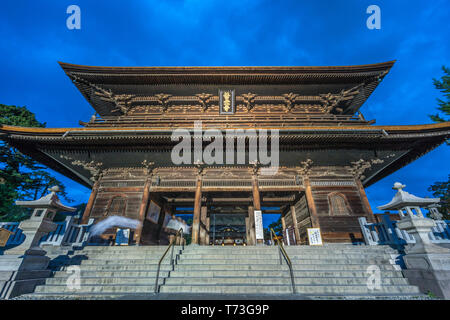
226 218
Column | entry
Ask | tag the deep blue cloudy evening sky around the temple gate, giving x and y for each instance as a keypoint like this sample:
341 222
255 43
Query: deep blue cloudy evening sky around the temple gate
34 36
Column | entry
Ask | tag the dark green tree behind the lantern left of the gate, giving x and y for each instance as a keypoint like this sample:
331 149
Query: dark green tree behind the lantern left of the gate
21 177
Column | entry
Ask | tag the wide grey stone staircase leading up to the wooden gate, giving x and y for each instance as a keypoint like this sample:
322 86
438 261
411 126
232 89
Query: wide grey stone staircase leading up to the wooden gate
330 271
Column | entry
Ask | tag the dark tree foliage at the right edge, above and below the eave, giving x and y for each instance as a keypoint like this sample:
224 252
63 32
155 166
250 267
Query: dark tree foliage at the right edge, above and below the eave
441 189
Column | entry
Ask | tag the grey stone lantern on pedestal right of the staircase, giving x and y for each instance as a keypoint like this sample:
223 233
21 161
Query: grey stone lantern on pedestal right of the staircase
428 265
